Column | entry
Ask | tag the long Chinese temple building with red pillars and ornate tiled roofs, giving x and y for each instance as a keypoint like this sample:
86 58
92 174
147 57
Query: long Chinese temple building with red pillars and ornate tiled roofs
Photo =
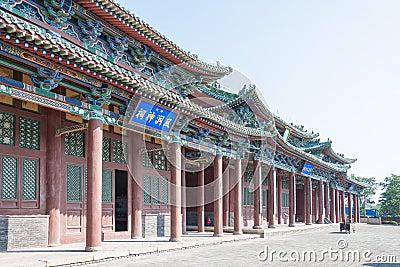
108 130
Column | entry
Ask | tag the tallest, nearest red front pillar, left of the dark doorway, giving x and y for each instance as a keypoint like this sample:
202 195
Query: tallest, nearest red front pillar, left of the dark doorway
94 187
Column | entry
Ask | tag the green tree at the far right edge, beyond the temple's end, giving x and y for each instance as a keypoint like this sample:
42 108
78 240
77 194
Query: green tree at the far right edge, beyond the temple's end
390 197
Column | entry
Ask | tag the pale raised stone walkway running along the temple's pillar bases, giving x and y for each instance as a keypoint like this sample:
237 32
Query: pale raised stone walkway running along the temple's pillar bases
74 254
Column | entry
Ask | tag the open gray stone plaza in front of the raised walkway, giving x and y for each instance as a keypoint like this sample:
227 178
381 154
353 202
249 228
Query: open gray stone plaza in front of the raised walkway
369 241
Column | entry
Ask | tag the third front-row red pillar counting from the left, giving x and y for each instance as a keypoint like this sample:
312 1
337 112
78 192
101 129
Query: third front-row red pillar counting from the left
218 195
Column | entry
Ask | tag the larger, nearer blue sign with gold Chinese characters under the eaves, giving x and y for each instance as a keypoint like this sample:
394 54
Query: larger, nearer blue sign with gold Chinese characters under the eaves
154 116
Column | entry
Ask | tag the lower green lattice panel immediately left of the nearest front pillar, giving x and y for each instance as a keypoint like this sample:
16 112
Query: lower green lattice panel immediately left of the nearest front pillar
74 183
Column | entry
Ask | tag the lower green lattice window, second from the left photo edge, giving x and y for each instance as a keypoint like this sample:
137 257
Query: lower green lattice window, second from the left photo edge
29 179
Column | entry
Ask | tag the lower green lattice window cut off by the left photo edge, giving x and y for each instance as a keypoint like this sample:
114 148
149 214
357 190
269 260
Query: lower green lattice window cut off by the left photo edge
9 181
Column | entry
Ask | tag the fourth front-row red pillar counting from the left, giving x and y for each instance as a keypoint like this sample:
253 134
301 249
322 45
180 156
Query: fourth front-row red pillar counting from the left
238 220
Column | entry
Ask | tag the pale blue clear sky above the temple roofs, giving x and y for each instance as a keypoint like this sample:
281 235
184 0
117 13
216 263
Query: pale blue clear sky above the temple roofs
332 66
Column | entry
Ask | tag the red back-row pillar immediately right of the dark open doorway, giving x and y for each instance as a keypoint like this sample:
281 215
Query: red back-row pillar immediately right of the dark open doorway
135 142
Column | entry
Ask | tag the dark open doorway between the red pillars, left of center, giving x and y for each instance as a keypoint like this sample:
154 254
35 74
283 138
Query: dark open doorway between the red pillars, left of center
121 208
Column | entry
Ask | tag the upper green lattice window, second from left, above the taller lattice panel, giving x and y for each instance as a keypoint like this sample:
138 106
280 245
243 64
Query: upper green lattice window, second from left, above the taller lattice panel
29 131
